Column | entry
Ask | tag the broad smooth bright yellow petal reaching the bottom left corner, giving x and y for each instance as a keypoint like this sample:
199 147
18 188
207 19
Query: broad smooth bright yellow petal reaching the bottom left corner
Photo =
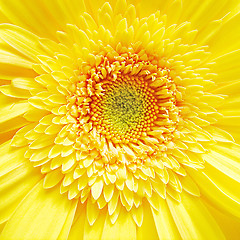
42 211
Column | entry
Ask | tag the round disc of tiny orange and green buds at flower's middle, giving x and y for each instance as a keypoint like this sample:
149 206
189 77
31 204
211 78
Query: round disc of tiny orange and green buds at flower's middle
126 110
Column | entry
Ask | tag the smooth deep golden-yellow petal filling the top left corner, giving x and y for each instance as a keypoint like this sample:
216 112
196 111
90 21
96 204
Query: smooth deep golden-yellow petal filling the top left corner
34 18
